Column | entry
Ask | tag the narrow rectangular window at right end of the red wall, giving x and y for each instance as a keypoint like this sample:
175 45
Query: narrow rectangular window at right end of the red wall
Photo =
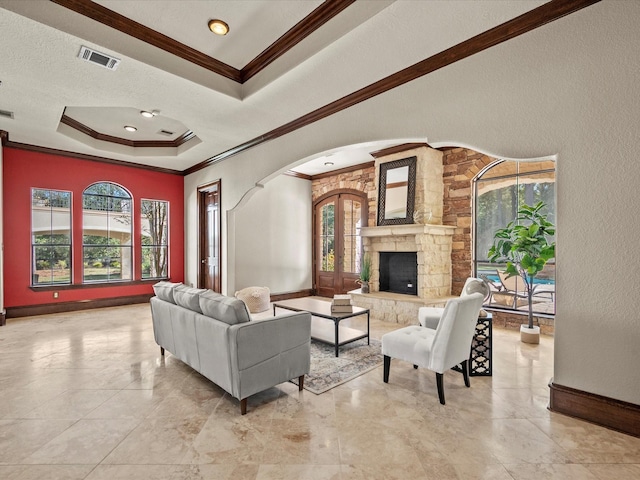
155 229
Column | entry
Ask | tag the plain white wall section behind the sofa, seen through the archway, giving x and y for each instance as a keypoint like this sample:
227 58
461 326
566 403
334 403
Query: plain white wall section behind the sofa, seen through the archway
273 237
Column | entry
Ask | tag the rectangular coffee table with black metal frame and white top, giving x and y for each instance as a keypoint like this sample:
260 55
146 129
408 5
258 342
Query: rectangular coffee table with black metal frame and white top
325 324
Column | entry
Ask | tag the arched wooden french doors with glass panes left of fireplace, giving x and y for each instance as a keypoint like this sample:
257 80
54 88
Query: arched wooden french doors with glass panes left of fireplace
338 218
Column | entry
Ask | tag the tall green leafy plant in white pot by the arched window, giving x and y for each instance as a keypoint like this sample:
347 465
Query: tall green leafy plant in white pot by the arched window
524 245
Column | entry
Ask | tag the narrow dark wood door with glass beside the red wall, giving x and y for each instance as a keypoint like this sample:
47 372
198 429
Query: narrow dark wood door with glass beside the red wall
209 275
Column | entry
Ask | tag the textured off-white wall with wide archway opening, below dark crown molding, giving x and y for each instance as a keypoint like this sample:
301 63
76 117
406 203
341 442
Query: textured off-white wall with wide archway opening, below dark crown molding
568 88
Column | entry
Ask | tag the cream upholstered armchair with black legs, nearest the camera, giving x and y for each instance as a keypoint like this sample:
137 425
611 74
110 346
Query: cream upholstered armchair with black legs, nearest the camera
438 349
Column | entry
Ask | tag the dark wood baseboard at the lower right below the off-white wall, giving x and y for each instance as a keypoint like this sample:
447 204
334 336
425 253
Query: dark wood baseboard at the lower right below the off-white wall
607 412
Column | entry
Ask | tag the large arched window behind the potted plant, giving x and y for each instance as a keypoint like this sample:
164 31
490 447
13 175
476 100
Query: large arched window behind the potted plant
499 190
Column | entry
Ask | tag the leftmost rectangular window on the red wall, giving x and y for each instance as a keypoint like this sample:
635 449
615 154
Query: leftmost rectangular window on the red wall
50 237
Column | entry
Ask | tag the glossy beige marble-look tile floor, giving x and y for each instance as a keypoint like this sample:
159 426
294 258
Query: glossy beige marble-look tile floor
86 395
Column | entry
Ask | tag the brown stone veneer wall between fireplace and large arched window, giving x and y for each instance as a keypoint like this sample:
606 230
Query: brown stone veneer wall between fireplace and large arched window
460 166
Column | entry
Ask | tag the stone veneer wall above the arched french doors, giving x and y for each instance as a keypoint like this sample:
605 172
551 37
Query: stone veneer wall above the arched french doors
362 179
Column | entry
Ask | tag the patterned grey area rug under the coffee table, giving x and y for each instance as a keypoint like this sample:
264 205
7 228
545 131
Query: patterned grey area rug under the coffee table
328 372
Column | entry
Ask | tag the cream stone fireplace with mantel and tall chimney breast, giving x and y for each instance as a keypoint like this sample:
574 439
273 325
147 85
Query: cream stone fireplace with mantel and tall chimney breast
429 240
